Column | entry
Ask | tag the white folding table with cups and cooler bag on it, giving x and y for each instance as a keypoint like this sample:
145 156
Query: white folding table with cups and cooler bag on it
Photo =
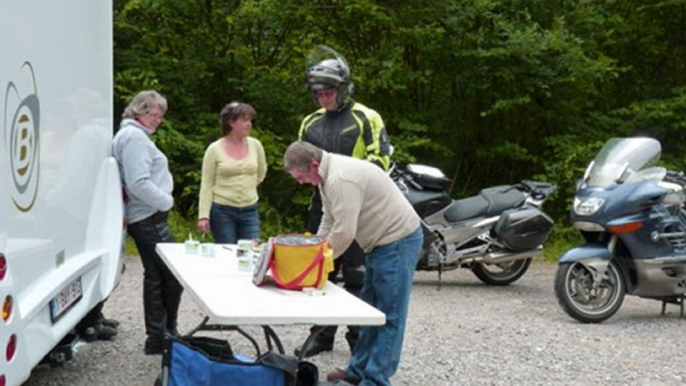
229 298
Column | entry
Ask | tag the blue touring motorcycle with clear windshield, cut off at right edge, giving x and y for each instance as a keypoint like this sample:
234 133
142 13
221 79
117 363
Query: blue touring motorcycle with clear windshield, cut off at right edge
630 213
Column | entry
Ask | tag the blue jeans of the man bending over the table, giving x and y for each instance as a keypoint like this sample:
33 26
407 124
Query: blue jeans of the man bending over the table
387 286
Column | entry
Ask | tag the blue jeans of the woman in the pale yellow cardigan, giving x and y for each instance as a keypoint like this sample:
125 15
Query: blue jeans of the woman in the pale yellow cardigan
229 224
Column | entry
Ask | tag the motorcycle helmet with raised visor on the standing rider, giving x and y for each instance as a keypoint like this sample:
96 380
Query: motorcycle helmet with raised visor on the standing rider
328 69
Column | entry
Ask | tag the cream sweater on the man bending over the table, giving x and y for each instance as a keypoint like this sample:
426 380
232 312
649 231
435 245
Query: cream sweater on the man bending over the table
361 202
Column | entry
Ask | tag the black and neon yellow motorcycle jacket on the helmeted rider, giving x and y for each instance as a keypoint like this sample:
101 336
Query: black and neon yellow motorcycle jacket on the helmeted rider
353 130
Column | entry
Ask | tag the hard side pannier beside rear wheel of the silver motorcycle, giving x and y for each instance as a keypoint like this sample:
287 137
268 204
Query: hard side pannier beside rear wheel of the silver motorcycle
523 229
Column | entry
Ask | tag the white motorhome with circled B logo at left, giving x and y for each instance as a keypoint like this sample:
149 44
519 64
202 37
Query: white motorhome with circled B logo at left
61 213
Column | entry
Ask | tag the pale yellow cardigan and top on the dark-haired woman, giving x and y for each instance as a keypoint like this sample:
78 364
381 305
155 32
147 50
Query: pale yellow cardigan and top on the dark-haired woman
229 181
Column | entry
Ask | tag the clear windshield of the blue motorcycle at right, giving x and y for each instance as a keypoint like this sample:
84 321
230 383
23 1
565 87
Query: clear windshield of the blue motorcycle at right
623 158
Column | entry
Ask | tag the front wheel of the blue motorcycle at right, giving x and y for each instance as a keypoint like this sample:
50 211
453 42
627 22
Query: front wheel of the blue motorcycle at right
585 300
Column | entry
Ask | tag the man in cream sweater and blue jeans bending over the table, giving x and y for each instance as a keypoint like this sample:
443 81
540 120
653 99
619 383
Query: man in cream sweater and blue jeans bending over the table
362 203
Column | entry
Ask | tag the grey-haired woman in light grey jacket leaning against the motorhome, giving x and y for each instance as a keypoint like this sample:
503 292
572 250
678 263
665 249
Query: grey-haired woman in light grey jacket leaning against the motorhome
148 189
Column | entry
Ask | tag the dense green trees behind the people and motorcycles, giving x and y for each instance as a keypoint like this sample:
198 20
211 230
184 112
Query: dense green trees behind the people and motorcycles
489 91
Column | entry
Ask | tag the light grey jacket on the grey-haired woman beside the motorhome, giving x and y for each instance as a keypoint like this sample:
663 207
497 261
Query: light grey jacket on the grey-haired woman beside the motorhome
144 170
